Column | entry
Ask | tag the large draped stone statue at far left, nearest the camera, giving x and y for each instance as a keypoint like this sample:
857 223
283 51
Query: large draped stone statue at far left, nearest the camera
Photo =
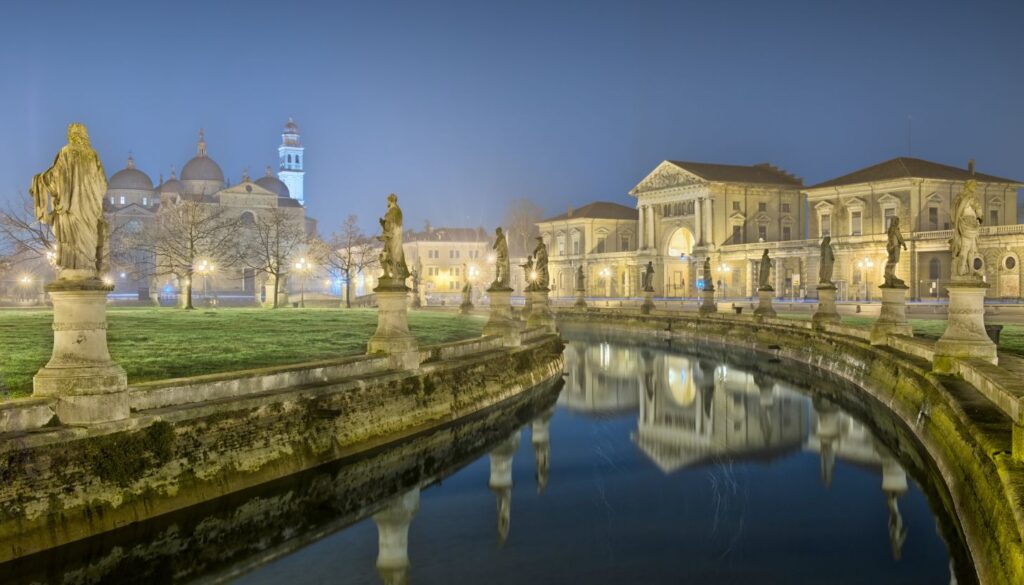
69 197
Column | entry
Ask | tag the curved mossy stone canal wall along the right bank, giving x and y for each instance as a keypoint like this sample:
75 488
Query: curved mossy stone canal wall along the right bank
969 438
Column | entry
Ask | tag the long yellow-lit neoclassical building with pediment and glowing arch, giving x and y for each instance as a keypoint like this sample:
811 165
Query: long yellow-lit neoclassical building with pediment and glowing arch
688 213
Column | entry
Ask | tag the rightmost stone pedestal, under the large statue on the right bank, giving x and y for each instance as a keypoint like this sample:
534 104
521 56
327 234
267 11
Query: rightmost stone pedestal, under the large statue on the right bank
965 336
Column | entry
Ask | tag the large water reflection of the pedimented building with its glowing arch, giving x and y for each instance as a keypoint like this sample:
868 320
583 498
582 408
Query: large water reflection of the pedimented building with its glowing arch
693 411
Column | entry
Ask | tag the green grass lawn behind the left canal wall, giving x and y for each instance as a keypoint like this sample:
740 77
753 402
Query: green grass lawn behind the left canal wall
160 344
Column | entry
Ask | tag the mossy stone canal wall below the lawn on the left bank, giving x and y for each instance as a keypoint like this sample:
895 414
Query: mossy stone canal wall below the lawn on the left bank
191 441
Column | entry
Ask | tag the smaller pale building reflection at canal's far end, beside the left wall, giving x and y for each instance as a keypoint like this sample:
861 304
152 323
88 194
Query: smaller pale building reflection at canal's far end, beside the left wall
602 378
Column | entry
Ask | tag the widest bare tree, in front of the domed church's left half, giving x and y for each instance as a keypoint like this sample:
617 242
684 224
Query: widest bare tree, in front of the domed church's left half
182 234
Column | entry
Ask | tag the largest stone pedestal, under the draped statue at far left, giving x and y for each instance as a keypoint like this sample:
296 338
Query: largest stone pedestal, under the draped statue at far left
89 386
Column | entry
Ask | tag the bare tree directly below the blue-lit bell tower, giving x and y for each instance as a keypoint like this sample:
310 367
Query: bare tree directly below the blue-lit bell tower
277 236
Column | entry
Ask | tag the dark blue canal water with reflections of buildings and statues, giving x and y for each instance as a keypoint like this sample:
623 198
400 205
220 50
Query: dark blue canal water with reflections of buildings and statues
659 465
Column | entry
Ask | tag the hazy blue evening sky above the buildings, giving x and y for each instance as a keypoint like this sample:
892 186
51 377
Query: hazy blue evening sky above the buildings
459 107
